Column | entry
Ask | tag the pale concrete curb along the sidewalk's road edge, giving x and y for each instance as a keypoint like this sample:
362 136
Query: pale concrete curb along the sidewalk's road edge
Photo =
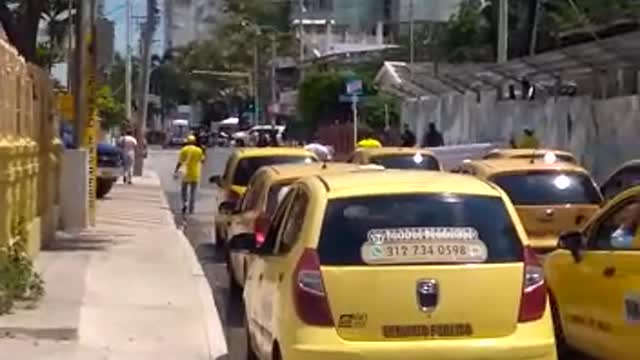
216 340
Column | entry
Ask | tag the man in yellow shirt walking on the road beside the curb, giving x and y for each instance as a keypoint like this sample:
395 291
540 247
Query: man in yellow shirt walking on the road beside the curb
191 158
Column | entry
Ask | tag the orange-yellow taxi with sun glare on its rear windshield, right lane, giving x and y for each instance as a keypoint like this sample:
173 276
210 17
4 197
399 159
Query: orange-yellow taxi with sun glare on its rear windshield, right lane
550 196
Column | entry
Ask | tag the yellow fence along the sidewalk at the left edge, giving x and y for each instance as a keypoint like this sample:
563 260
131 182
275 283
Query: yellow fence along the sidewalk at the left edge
30 152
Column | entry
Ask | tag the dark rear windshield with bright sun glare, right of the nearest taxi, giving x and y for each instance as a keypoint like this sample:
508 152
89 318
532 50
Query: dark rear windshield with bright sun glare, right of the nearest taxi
549 188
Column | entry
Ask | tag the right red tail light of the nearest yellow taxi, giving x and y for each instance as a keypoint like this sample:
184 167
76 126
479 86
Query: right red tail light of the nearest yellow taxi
534 290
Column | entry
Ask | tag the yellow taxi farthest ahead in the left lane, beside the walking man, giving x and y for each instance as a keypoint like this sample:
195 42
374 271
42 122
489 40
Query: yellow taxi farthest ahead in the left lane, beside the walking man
240 167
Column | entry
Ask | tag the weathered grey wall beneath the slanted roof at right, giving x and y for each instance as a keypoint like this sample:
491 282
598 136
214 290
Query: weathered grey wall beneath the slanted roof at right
602 133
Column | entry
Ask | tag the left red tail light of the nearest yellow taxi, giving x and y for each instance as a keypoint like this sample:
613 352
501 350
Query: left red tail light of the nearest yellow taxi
309 295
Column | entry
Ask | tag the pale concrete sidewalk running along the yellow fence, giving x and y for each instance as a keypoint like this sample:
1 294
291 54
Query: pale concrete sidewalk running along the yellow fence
130 288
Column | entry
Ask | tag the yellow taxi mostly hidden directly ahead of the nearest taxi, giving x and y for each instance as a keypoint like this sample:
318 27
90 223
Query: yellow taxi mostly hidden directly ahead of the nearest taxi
266 187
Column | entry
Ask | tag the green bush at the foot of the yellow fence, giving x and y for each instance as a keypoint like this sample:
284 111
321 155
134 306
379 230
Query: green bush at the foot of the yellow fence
19 282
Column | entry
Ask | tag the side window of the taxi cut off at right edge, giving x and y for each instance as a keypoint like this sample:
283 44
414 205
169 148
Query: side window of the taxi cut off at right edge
619 228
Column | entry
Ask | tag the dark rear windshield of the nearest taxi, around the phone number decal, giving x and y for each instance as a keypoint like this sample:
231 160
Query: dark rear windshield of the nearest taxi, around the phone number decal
350 222
